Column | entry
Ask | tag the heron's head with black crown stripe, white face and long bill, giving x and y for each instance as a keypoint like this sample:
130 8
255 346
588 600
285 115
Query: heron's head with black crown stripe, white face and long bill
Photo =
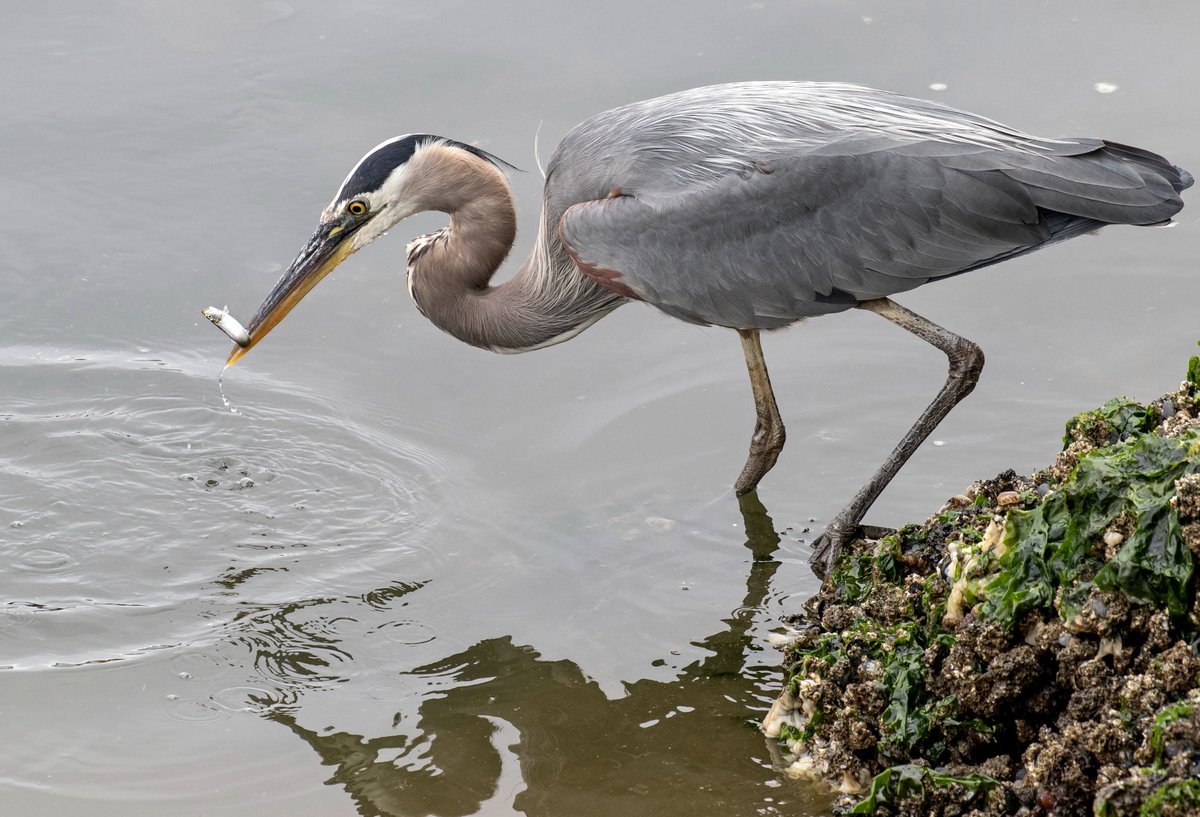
387 187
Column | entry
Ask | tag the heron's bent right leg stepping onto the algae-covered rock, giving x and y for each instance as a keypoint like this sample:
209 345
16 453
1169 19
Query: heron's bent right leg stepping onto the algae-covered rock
967 363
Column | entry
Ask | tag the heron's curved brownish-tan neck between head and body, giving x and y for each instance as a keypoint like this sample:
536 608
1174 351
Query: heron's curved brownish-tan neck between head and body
548 302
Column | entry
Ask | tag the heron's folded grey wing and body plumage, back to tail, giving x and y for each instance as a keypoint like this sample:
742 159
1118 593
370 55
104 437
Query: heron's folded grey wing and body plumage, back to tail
775 220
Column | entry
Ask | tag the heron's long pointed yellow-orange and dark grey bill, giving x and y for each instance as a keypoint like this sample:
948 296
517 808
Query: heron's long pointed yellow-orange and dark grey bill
328 248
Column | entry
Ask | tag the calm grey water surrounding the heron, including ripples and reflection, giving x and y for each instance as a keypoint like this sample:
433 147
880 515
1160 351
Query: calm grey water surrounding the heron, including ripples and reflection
410 578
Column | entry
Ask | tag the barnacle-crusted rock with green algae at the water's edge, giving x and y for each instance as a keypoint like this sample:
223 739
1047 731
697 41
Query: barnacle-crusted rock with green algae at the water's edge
1033 650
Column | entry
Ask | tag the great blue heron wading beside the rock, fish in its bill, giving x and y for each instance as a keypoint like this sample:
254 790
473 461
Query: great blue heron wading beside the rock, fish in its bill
749 206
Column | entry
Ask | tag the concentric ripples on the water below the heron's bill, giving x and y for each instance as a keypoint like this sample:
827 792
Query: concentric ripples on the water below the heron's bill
129 494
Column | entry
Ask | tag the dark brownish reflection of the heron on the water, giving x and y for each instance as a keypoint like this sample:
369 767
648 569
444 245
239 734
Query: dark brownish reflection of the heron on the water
689 746
